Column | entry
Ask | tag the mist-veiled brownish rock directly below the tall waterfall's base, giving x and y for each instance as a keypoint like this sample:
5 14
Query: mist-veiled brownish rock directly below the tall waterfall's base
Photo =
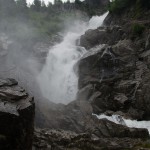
71 117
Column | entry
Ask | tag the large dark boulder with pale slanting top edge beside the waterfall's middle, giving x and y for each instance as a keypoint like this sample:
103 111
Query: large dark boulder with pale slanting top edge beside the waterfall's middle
98 63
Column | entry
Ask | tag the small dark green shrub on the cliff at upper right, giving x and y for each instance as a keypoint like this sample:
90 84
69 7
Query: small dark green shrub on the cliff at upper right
137 29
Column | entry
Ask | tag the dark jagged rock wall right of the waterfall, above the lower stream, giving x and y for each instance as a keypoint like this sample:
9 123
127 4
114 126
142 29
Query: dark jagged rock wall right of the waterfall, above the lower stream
117 69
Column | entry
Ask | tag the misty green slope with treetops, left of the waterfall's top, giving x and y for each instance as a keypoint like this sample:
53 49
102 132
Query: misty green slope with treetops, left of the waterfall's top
40 21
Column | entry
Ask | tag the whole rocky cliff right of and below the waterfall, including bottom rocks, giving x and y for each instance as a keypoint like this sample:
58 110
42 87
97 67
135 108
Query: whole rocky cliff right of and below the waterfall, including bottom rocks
114 78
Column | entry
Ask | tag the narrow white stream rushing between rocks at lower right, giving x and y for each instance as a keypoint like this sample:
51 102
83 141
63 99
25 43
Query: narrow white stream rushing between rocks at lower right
130 123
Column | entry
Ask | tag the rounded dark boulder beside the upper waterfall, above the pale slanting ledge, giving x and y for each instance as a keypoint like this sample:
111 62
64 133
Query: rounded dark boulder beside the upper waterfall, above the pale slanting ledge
102 35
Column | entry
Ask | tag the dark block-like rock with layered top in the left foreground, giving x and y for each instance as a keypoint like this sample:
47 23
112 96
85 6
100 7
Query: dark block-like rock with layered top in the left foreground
16 117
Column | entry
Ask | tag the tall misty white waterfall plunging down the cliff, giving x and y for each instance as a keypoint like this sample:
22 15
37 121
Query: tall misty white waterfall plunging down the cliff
57 79
